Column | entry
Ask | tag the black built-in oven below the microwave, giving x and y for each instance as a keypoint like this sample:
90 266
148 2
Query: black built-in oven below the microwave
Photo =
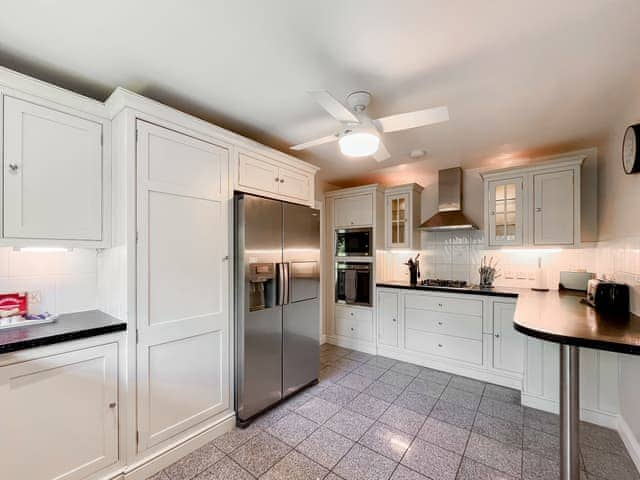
354 283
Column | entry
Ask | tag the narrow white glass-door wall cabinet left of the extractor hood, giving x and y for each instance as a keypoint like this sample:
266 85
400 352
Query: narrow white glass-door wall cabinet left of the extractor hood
402 216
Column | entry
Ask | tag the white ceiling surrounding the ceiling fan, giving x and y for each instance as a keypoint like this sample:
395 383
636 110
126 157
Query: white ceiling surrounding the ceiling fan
521 79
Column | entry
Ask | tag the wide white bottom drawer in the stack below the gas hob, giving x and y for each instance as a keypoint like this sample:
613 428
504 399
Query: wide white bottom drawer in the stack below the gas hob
447 346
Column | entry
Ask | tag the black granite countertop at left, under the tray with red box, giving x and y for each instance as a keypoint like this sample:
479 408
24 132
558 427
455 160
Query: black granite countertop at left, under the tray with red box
70 326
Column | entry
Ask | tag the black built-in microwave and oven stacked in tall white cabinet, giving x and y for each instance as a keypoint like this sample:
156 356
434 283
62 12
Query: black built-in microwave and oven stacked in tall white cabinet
354 279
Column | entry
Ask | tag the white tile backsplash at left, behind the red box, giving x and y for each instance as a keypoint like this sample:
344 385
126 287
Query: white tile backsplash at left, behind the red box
63 282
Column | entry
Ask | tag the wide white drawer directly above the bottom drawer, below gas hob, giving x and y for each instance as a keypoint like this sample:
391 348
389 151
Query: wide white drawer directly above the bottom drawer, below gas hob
465 326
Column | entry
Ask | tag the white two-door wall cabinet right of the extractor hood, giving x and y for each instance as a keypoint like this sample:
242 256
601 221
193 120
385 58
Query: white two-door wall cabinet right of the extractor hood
534 206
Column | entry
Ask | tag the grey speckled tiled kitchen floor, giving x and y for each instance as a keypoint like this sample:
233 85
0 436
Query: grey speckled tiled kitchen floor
373 418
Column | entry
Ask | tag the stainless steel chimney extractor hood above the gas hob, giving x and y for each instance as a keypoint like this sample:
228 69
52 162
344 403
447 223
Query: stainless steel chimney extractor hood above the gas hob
449 216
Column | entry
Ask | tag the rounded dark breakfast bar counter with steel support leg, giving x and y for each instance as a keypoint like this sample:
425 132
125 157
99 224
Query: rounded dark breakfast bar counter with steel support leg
560 317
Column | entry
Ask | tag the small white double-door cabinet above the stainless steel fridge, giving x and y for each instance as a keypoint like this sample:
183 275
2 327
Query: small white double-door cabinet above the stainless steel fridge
291 180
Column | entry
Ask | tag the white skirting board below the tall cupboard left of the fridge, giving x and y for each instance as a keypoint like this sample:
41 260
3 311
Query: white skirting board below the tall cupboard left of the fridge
150 466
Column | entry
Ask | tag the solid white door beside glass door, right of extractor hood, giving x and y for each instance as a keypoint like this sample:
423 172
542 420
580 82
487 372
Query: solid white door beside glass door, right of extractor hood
554 208
